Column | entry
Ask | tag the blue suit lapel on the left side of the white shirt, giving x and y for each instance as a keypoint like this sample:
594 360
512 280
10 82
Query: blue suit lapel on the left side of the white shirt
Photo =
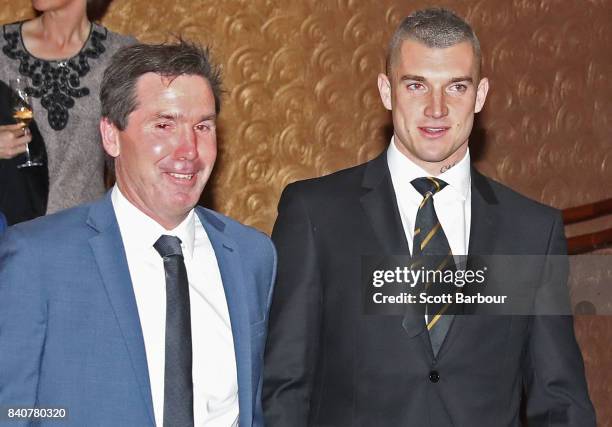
109 253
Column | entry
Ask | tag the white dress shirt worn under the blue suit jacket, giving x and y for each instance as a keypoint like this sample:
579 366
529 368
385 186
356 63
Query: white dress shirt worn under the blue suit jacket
215 384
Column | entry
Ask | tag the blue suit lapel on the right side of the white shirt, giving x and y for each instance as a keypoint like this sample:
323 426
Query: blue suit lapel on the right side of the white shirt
230 267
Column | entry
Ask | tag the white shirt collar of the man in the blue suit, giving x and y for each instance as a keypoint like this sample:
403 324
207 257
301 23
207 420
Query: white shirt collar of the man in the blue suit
140 231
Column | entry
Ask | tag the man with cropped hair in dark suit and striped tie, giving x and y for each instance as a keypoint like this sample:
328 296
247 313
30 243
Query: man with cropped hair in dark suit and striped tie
327 362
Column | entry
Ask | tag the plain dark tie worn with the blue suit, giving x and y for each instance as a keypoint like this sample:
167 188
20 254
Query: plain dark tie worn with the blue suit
178 382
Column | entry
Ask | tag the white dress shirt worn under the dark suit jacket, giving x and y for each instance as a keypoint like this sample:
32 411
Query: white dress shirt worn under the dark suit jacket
453 203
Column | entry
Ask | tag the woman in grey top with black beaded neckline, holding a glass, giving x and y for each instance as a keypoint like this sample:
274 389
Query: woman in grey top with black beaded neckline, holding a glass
63 54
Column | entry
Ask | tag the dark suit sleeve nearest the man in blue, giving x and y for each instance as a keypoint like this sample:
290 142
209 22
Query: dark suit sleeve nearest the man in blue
295 317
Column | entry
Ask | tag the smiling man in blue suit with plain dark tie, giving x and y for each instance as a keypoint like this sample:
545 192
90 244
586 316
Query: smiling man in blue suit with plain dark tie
140 309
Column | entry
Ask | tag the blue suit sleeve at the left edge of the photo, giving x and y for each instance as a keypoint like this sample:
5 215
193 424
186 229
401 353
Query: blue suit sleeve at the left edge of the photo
22 324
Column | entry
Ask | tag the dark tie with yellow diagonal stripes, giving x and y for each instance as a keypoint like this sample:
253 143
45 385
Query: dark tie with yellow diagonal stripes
431 251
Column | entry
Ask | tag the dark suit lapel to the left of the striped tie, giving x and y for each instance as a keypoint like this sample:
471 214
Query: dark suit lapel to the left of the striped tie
380 206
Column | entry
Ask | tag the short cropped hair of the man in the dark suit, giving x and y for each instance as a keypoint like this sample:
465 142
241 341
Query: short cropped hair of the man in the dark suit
435 28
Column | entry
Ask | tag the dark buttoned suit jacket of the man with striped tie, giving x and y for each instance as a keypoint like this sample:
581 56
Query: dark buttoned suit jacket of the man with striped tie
329 364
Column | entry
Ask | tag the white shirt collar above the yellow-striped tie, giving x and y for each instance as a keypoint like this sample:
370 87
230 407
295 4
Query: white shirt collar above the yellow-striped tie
405 170
